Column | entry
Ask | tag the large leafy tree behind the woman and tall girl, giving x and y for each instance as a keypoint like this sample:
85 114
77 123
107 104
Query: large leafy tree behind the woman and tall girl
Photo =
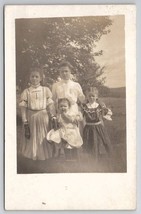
44 42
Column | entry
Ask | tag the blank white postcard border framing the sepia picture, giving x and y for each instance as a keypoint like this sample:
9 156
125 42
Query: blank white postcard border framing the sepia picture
87 191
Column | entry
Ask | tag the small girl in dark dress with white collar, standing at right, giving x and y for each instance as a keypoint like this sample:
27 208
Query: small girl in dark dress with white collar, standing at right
96 140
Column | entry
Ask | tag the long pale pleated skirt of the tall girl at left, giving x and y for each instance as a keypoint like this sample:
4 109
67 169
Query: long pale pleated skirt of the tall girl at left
37 147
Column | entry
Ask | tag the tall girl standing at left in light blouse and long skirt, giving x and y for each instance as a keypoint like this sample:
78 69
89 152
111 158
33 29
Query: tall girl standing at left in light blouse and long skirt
36 106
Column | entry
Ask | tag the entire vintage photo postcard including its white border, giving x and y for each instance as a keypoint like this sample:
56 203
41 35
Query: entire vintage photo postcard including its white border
70 107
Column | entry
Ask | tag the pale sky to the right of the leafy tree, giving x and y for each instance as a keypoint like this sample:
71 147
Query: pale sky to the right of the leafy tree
113 45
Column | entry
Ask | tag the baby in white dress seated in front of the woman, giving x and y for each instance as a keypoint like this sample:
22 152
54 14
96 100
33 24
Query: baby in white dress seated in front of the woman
67 135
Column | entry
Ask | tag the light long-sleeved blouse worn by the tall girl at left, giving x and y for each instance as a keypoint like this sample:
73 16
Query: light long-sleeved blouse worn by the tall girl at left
36 98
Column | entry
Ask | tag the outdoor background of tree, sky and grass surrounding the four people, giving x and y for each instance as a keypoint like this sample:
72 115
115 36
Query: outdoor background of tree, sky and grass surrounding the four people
95 46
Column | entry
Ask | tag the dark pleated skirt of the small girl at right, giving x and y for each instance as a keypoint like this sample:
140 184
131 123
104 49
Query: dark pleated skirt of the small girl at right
96 140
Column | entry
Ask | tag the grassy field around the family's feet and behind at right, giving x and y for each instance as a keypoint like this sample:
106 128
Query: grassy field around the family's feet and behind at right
117 133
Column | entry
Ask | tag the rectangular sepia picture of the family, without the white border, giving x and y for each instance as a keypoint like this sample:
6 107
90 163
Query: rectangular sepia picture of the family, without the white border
71 94
